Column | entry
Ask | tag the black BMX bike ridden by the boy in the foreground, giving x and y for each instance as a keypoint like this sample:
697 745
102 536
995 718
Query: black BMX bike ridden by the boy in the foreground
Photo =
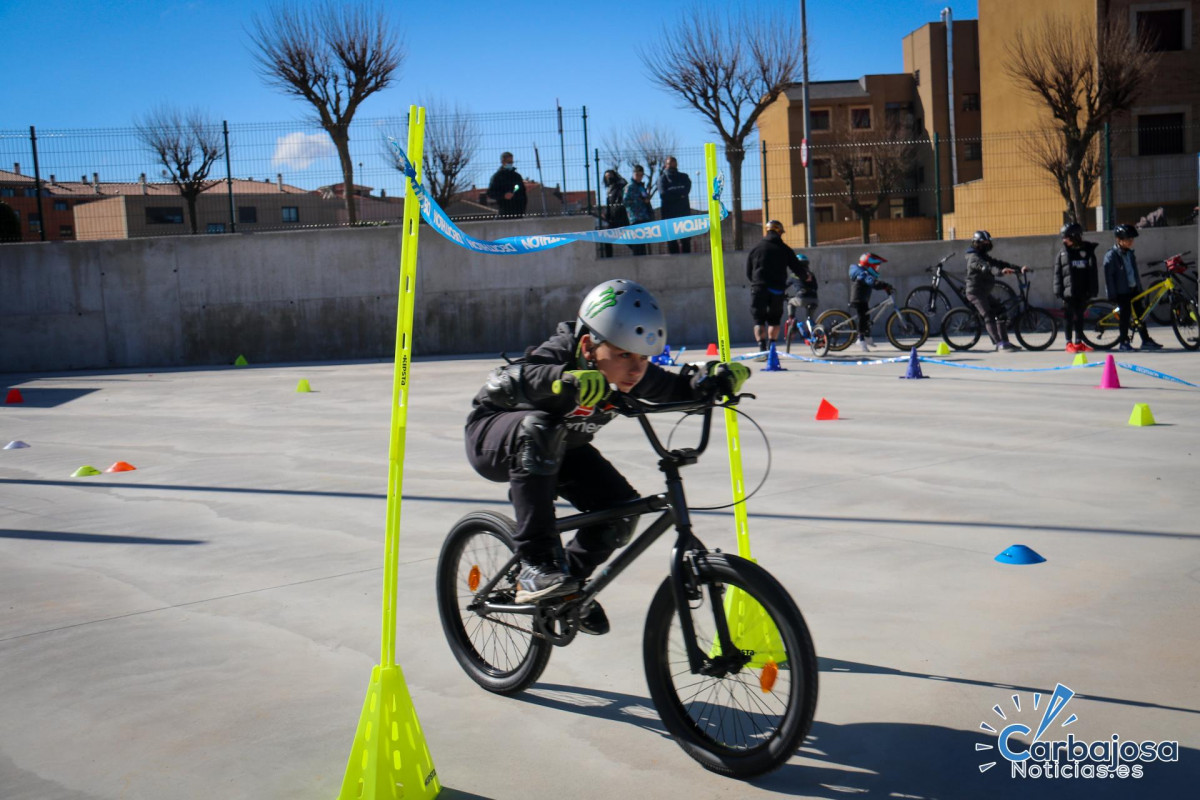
729 659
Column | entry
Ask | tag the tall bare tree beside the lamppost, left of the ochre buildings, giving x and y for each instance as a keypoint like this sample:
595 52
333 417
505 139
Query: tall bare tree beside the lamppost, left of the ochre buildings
730 68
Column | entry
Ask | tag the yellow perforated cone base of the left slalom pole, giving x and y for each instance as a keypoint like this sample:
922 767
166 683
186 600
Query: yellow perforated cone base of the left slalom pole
391 760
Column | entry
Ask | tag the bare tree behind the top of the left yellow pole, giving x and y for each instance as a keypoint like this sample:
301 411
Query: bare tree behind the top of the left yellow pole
452 140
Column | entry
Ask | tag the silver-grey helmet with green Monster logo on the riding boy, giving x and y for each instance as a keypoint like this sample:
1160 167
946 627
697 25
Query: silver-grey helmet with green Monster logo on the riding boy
625 315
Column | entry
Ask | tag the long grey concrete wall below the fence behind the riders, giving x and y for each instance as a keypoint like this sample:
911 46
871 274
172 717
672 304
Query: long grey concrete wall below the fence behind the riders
332 294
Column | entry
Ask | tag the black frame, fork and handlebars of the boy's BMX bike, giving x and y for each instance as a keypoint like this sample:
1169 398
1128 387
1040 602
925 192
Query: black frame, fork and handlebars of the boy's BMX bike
687 549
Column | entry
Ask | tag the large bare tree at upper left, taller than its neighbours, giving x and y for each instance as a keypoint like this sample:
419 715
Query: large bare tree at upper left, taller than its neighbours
333 56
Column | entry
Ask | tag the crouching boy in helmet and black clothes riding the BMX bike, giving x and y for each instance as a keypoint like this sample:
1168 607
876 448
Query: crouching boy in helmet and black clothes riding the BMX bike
533 422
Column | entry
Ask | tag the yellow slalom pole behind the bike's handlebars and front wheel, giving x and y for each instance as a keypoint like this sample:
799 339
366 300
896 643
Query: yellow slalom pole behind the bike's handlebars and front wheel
751 627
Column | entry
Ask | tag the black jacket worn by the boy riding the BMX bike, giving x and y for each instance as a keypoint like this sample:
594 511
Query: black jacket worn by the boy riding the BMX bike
547 364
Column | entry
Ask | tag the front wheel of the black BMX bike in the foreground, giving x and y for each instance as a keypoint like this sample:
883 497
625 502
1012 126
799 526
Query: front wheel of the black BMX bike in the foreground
710 717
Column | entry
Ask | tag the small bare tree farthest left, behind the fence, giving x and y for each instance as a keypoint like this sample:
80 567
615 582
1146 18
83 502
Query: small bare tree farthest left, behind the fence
188 146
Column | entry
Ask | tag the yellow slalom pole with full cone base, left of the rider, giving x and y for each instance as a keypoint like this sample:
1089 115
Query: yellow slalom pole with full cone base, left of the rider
389 759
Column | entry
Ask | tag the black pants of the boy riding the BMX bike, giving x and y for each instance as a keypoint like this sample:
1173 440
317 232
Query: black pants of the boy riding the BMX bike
585 479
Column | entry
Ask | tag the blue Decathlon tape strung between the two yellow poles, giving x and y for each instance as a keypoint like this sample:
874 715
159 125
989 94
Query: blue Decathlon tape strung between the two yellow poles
641 234
